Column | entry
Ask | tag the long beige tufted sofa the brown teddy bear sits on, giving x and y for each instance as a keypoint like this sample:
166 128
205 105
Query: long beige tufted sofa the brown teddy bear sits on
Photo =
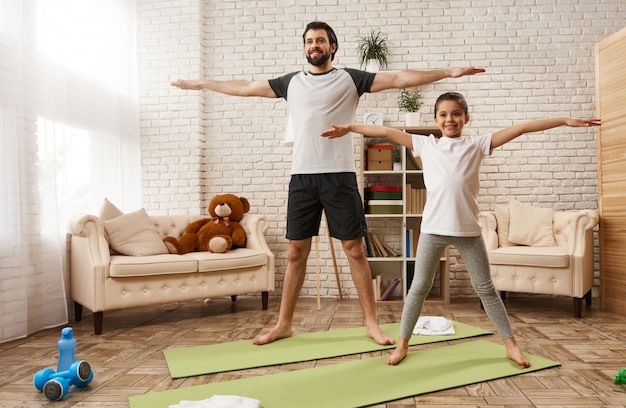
101 281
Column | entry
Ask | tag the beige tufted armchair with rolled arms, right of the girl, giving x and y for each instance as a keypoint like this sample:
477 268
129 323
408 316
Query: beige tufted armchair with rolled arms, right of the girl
564 269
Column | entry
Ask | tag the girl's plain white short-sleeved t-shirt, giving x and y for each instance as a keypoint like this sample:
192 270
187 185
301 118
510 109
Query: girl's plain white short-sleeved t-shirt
451 176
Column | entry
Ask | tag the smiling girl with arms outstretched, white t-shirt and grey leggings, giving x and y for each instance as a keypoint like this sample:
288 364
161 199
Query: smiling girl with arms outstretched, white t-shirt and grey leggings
451 175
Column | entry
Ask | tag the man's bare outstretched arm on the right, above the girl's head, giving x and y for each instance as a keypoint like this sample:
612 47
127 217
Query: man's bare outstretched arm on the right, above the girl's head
410 78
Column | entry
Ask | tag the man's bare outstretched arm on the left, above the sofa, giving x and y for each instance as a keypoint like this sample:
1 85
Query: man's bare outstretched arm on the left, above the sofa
235 87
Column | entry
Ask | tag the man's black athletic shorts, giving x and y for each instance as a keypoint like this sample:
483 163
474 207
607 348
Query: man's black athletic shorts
337 194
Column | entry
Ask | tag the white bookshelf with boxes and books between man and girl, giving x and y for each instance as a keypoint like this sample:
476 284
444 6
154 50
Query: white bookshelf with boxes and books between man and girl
394 201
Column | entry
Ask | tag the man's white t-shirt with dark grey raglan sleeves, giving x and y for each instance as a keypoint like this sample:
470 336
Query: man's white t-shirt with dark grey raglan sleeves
316 101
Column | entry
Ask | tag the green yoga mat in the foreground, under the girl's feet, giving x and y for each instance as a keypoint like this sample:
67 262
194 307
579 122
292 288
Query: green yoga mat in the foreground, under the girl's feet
362 382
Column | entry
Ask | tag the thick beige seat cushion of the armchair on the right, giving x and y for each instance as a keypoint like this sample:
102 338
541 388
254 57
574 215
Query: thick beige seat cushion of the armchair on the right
547 257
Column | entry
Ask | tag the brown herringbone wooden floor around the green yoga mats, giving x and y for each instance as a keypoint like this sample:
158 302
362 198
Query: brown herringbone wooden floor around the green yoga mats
127 358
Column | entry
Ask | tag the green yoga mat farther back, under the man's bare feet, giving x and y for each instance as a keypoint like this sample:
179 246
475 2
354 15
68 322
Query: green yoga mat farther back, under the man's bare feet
239 355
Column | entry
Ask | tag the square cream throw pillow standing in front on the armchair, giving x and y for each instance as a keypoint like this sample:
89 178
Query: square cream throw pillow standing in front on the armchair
530 225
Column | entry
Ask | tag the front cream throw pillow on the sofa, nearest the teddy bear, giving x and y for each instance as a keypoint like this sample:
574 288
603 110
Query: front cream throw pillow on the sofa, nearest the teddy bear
134 234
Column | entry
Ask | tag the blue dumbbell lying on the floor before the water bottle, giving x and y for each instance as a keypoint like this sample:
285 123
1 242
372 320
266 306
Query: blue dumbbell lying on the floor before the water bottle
56 385
